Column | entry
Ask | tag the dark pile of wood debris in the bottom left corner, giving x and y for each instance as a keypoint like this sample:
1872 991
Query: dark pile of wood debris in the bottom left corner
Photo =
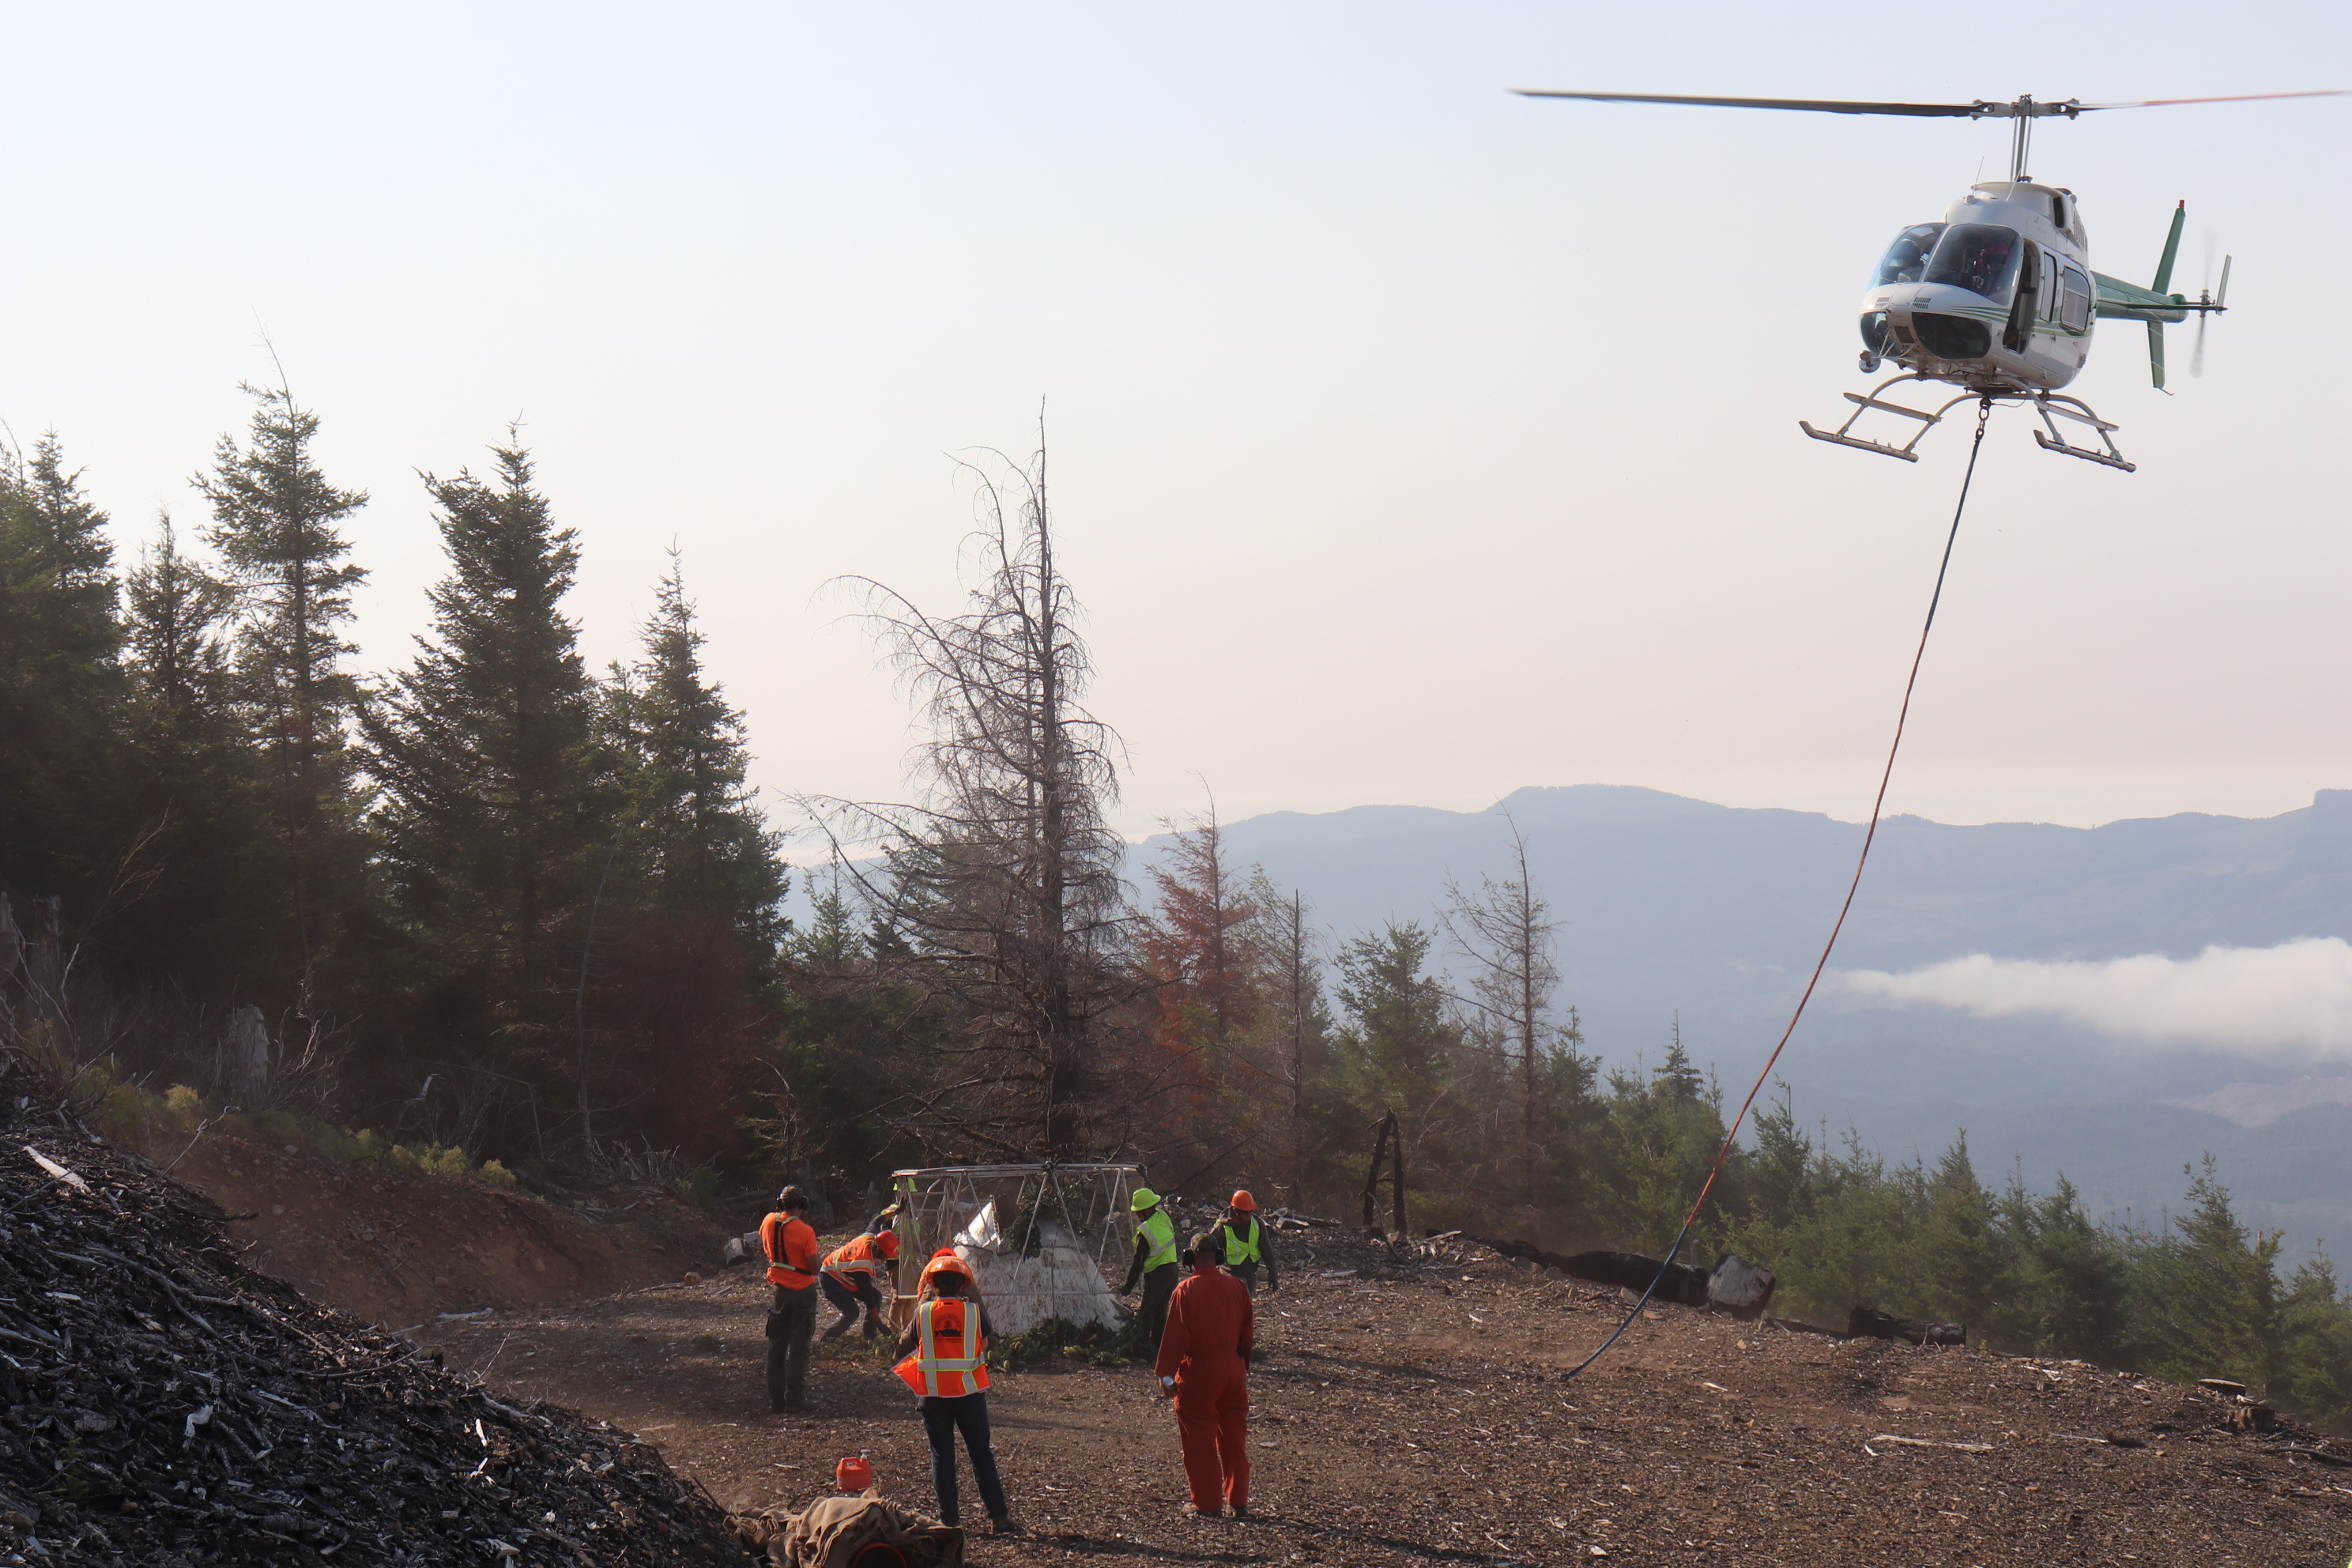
171 1407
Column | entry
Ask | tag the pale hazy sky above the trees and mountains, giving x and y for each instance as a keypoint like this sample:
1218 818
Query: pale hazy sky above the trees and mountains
1412 441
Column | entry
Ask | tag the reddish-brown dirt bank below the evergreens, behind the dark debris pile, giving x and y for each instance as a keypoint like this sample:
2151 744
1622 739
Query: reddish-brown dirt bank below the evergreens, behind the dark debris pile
401 1249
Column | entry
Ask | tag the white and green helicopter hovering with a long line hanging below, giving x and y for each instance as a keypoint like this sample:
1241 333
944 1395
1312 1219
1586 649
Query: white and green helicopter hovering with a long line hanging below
1998 297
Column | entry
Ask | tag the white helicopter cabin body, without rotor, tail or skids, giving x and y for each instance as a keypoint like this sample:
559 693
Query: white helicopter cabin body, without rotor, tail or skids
2000 297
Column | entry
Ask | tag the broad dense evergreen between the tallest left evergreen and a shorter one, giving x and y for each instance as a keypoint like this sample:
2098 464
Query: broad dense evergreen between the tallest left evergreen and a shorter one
497 800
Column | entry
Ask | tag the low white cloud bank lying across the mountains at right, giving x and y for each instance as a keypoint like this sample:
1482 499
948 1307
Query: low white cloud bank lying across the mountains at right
2278 1003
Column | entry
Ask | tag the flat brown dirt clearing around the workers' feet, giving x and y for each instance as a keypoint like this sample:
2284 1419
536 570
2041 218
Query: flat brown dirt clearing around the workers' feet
1429 1423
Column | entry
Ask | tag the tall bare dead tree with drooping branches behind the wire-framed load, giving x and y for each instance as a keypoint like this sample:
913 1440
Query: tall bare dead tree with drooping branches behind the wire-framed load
1003 878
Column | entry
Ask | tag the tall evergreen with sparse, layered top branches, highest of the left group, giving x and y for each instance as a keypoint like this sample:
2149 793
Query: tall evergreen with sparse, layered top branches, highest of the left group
274 521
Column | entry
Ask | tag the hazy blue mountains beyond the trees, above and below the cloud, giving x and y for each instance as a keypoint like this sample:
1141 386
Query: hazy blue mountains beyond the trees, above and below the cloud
1681 909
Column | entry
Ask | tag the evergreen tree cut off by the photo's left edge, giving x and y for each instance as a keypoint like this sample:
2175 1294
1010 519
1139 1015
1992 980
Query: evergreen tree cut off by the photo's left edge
60 688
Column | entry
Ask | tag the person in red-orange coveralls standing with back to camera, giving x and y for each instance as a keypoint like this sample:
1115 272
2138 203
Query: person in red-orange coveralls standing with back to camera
1205 1369
